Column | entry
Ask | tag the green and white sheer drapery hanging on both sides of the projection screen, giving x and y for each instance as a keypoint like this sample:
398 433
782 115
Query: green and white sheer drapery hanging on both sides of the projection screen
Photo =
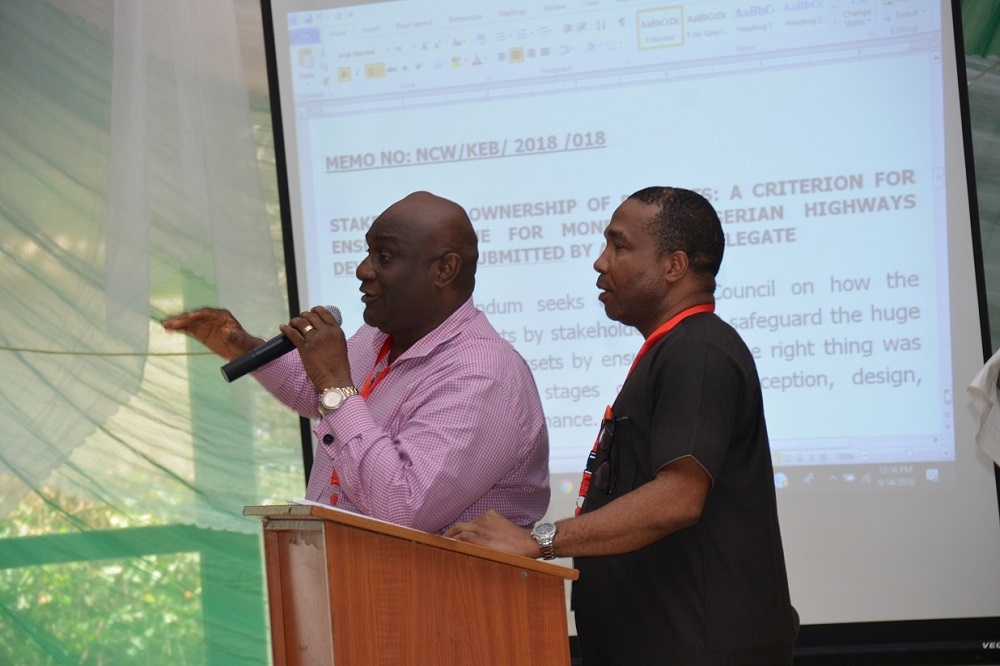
137 180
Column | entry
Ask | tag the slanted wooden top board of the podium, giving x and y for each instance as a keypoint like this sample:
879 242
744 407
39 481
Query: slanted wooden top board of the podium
296 512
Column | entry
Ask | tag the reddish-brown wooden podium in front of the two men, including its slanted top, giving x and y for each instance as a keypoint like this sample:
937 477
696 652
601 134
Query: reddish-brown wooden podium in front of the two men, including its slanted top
347 589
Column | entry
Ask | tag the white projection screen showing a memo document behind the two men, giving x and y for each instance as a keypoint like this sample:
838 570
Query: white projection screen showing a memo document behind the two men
828 135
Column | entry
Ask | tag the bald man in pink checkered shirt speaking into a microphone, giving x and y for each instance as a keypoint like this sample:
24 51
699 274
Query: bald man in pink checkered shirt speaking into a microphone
426 415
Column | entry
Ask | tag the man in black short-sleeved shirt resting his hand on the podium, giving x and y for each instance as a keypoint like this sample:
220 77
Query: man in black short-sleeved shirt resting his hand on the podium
677 543
